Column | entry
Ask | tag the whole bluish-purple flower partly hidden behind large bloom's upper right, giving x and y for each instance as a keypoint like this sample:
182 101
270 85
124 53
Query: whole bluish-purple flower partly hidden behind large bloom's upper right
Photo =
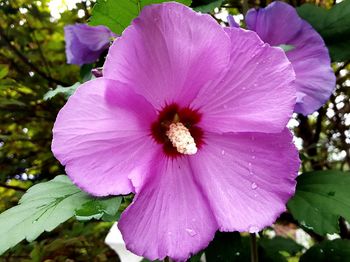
279 24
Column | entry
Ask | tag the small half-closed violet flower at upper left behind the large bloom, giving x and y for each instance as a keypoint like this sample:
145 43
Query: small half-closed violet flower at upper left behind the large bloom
85 44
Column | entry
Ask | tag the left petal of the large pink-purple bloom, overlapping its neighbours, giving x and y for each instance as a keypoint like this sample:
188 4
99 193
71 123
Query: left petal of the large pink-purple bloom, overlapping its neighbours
102 137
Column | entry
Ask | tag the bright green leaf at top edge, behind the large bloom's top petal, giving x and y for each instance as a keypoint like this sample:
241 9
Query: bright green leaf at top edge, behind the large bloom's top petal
117 15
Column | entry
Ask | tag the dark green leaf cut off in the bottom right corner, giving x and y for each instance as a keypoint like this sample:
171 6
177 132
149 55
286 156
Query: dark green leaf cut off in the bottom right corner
328 251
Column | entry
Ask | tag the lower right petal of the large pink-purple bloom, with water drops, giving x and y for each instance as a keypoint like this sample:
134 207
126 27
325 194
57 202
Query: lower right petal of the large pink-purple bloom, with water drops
247 177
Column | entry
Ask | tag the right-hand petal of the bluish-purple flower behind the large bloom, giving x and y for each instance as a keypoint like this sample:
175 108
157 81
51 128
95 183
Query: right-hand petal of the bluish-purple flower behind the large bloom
315 79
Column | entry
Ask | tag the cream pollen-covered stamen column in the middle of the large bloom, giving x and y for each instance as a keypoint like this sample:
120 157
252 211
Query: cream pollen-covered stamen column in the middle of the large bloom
181 139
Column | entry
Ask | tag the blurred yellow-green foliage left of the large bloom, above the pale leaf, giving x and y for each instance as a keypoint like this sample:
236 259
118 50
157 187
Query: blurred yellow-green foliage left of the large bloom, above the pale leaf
32 47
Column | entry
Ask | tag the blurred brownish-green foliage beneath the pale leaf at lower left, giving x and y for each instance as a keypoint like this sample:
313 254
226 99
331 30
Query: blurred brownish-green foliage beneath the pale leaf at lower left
69 242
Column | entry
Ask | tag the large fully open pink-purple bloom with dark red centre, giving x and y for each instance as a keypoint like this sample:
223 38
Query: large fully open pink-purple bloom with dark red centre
191 117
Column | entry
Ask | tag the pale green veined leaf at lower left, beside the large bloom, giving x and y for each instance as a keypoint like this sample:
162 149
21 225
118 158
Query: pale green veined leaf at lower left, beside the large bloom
42 208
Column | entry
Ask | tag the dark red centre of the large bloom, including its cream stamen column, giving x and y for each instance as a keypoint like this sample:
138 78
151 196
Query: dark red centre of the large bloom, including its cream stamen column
176 129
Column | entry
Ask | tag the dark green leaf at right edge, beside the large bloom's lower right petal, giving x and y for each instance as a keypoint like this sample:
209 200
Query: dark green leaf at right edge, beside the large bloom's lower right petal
321 198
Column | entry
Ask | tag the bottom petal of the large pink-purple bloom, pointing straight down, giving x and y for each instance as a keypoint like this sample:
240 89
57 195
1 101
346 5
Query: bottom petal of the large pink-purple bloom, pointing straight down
169 216
